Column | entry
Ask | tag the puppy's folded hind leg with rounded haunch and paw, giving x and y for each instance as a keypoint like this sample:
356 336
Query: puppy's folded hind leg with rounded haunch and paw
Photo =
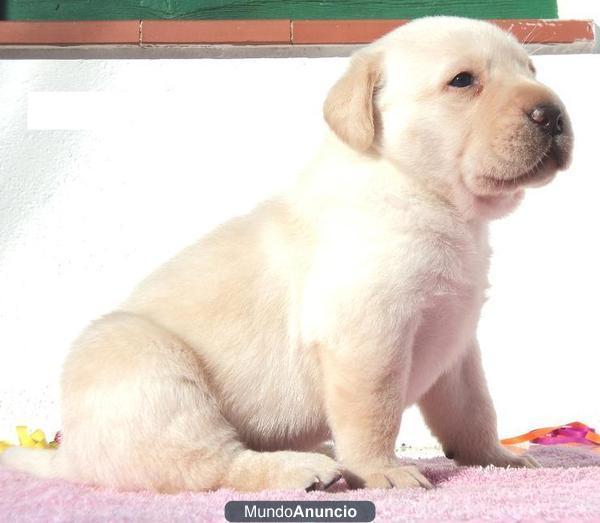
138 413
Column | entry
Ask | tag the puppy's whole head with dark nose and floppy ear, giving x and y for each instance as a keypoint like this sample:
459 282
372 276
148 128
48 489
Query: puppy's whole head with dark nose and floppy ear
454 102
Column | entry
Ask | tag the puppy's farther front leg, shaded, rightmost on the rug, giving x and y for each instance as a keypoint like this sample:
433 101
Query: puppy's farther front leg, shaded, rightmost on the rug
460 413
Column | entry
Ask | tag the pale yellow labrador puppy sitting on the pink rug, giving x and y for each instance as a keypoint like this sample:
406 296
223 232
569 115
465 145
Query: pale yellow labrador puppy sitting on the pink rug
328 310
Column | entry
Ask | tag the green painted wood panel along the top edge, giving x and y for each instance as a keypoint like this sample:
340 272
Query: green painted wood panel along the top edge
270 9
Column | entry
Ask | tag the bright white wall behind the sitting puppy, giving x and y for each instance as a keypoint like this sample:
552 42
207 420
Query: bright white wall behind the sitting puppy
85 214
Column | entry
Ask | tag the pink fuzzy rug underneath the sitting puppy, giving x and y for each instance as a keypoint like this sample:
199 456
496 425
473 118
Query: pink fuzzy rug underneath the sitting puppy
567 489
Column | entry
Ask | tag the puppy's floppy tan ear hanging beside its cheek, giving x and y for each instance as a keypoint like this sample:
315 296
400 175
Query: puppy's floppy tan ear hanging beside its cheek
348 109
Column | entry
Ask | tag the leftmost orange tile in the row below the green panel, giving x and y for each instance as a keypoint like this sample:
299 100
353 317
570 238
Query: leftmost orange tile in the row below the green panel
73 33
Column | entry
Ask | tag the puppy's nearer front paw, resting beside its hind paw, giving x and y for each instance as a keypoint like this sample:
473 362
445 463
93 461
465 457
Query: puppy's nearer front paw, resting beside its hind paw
385 477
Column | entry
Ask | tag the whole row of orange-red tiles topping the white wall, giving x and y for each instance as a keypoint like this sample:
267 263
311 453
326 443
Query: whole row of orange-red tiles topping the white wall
256 32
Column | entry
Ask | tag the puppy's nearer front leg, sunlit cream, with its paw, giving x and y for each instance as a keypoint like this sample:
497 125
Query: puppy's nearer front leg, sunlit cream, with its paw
365 379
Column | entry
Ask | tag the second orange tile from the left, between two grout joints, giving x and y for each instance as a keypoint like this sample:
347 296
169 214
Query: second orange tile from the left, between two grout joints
216 32
